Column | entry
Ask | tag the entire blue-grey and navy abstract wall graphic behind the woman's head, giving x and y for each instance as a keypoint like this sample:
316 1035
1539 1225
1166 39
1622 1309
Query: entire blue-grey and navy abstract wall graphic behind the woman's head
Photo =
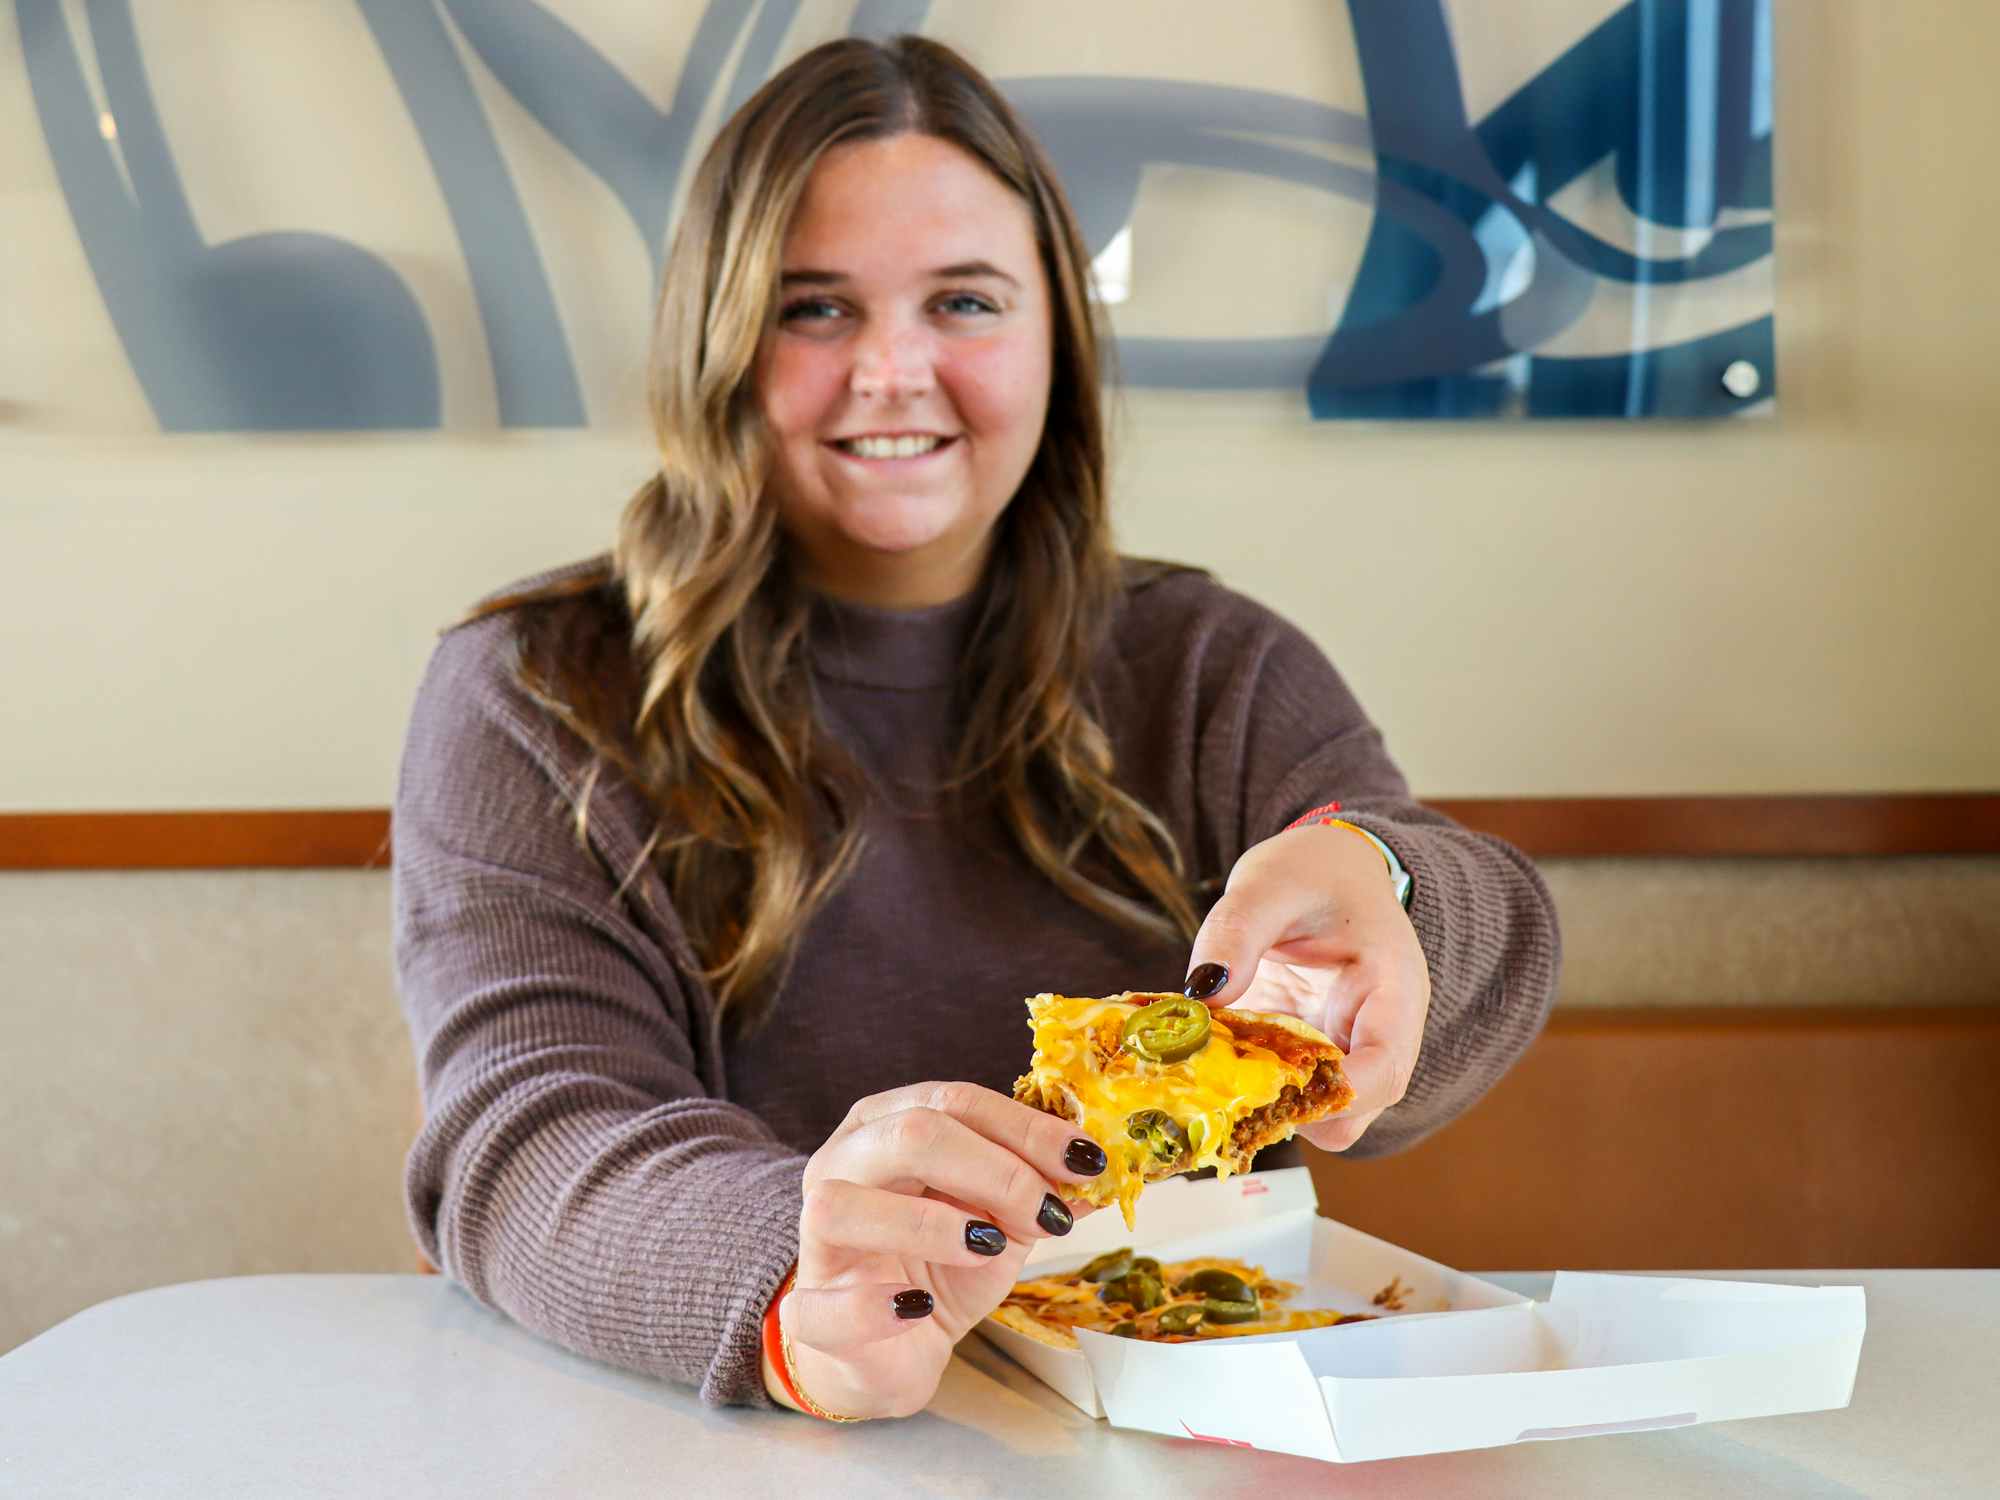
1467 277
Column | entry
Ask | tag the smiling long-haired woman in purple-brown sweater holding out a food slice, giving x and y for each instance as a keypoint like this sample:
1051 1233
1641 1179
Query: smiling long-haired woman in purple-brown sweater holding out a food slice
723 865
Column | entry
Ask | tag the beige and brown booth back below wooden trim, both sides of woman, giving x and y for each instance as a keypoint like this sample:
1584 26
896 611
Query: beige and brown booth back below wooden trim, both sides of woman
1755 1063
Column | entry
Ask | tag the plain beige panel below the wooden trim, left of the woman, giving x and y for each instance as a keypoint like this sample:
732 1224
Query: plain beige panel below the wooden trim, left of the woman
201 1075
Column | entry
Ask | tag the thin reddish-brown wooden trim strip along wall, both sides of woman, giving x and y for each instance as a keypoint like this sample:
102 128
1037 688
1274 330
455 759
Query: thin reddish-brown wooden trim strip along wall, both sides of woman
1695 827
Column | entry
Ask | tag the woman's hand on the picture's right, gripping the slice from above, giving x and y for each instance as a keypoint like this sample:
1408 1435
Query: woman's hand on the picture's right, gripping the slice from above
1311 927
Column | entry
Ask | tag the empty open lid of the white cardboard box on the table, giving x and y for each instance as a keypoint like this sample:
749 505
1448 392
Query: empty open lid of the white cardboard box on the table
1603 1355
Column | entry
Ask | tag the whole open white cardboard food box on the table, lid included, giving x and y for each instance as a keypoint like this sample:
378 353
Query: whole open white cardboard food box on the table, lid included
1469 1365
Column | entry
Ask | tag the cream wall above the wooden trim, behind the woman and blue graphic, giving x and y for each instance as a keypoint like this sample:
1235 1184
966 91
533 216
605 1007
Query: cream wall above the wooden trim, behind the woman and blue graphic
1599 609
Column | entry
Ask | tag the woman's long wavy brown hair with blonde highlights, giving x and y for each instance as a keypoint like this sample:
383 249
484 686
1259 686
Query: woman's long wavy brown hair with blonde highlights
689 673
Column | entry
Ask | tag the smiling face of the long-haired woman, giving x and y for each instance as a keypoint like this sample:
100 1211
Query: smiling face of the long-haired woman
907 375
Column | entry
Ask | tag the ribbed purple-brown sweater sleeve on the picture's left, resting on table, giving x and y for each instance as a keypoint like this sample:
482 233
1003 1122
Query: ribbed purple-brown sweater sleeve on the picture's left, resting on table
573 1169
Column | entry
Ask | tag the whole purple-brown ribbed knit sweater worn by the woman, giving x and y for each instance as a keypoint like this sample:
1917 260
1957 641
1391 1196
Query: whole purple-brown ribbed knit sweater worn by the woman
603 1163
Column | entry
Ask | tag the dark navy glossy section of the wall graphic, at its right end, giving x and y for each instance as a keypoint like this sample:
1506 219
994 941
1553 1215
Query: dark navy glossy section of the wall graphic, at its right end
1671 89
